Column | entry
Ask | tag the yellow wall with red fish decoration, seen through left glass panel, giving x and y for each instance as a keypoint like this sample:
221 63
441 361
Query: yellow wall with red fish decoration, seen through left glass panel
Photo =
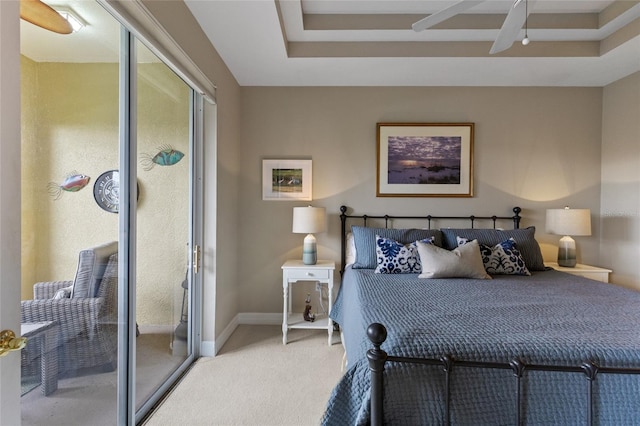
70 124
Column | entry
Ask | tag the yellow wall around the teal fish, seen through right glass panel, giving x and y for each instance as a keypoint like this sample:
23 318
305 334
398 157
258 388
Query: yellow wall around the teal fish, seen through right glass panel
163 209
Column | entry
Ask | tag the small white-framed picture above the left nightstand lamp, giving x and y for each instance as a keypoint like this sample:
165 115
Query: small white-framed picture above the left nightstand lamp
286 180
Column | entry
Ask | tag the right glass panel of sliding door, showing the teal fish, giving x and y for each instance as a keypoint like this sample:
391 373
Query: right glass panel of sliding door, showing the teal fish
163 224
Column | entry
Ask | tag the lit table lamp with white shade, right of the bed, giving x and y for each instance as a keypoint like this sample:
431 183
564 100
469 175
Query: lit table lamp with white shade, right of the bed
567 222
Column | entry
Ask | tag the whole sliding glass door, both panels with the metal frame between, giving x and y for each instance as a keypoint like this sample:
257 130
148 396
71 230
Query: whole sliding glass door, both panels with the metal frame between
110 213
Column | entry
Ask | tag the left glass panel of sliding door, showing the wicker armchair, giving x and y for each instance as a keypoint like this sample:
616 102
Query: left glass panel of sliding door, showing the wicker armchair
70 150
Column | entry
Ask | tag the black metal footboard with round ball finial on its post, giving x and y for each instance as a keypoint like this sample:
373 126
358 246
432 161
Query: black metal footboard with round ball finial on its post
377 357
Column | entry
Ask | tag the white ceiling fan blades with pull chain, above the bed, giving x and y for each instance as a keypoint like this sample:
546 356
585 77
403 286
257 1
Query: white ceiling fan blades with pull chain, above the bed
516 18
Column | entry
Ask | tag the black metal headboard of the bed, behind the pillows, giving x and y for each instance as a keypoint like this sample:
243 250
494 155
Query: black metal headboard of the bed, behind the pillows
428 218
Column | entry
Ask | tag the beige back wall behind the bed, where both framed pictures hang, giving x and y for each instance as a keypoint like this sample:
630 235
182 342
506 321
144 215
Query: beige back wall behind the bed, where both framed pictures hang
536 148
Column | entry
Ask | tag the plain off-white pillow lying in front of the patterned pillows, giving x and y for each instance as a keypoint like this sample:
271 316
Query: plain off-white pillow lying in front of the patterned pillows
462 262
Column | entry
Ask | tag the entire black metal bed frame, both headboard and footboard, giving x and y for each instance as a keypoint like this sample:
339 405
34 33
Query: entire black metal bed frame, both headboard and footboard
377 334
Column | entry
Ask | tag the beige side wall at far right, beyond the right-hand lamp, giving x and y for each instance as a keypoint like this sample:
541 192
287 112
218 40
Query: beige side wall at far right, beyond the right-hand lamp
620 200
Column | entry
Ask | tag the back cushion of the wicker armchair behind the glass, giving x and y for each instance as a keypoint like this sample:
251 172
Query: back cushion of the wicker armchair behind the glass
91 265
